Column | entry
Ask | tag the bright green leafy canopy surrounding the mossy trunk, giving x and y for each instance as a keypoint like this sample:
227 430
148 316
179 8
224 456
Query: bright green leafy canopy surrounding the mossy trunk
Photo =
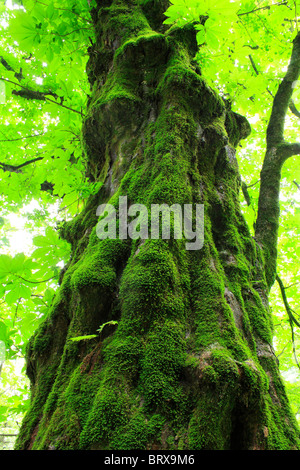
244 48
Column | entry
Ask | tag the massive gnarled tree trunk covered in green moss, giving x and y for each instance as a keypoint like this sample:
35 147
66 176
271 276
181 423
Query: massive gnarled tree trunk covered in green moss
190 364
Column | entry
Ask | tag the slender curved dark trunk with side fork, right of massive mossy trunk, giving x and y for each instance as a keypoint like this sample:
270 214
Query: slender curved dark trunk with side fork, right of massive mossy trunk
277 152
